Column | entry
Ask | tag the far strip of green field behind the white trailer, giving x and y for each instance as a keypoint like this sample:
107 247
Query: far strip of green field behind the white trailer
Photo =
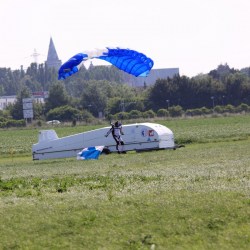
190 130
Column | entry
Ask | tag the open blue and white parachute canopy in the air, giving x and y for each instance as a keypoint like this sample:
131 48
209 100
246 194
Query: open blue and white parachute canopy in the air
130 61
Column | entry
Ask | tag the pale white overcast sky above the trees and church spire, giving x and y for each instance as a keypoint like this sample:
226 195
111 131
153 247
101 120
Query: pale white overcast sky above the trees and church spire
193 35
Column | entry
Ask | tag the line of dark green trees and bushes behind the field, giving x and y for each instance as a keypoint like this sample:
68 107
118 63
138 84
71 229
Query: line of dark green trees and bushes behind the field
101 91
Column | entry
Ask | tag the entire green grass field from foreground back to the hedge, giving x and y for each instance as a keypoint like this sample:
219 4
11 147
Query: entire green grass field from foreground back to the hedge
196 197
